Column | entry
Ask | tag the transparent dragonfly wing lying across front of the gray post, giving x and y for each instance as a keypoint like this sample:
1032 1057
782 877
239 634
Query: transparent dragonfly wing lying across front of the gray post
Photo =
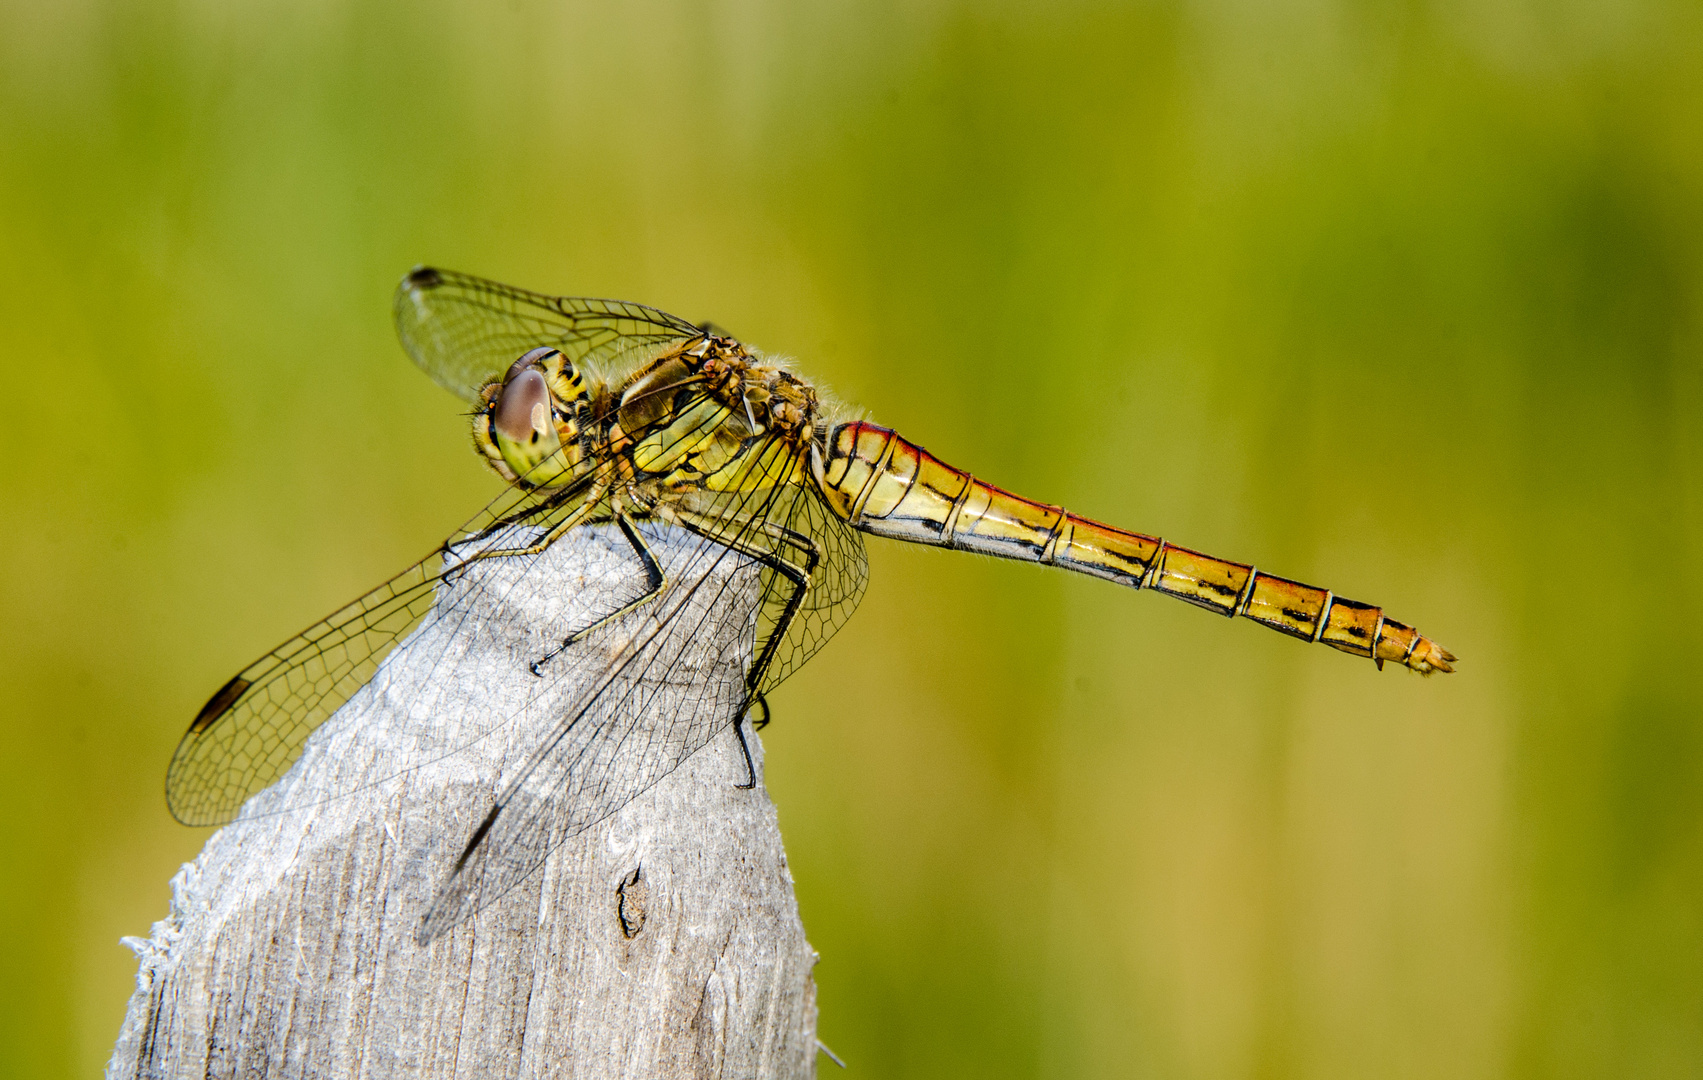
663 694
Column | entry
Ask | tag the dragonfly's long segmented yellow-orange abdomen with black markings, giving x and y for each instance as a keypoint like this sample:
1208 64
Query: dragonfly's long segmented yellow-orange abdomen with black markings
885 485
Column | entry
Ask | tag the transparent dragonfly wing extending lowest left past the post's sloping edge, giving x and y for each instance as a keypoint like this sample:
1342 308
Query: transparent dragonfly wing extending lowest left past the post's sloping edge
253 730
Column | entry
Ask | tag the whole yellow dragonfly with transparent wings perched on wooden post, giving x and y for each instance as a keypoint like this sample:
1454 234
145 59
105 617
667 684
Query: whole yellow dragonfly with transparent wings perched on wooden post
602 413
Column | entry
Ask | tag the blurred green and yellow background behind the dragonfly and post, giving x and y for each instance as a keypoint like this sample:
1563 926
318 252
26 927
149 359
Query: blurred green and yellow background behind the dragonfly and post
1406 301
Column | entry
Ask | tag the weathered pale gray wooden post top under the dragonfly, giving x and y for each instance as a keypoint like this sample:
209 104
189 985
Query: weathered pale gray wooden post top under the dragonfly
663 941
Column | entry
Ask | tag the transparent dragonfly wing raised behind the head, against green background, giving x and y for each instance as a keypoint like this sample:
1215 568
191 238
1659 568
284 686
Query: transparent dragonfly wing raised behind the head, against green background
466 331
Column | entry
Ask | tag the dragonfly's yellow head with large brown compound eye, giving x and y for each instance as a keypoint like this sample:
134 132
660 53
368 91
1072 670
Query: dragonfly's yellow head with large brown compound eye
530 425
